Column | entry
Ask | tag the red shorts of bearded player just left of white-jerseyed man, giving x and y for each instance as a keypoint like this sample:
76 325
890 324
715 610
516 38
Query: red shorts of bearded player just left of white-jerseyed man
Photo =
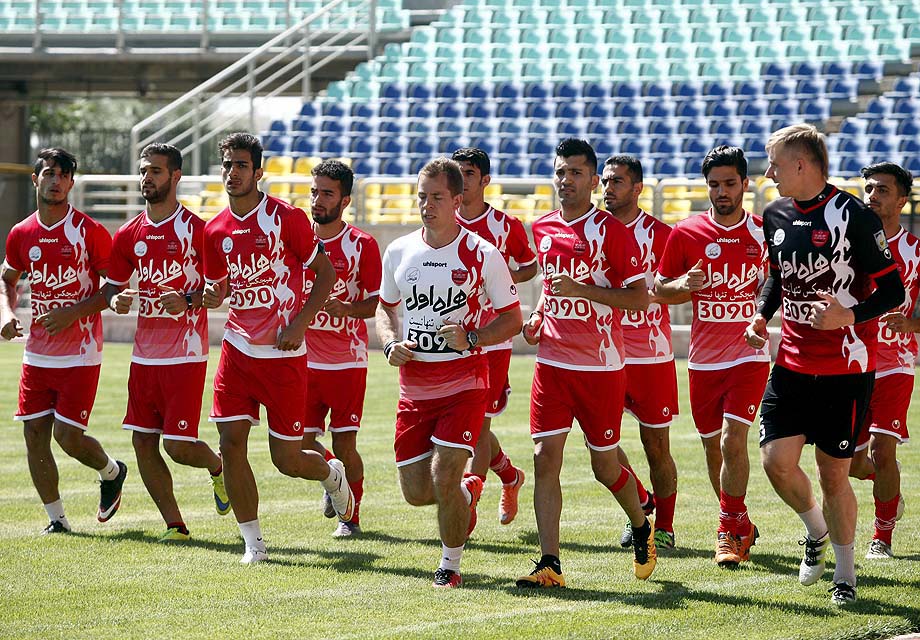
338 392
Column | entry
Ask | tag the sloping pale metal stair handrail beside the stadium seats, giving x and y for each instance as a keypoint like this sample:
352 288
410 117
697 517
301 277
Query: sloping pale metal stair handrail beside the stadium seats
244 82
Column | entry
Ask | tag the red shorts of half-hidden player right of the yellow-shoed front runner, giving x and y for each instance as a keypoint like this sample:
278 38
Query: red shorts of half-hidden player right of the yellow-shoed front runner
651 393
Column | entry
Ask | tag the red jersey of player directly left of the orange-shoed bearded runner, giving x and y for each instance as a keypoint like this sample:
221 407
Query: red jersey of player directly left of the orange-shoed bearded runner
647 334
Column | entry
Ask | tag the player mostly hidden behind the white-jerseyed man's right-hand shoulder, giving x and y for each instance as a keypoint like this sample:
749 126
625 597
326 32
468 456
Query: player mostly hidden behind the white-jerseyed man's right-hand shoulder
508 235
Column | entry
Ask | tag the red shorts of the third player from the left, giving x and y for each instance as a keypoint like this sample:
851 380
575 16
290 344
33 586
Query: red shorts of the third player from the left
242 383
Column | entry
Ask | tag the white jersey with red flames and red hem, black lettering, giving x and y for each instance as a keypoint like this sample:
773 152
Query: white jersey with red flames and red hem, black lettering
465 282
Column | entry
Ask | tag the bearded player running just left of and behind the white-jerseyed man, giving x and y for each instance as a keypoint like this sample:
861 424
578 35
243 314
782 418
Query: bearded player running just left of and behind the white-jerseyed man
337 338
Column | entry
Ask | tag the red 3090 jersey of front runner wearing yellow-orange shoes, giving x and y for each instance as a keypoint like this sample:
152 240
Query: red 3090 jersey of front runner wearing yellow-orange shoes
595 249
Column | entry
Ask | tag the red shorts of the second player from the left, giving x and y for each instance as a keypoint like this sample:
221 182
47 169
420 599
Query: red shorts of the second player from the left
166 399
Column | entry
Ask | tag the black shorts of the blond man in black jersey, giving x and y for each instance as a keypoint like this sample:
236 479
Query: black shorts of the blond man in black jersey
827 410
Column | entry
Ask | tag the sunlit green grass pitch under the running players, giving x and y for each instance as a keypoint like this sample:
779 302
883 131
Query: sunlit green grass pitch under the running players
115 580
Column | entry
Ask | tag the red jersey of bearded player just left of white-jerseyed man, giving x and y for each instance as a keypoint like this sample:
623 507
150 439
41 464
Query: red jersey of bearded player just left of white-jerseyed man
341 343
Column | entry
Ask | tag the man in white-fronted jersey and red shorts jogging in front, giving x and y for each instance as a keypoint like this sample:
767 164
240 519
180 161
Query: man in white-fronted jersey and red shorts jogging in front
447 282
